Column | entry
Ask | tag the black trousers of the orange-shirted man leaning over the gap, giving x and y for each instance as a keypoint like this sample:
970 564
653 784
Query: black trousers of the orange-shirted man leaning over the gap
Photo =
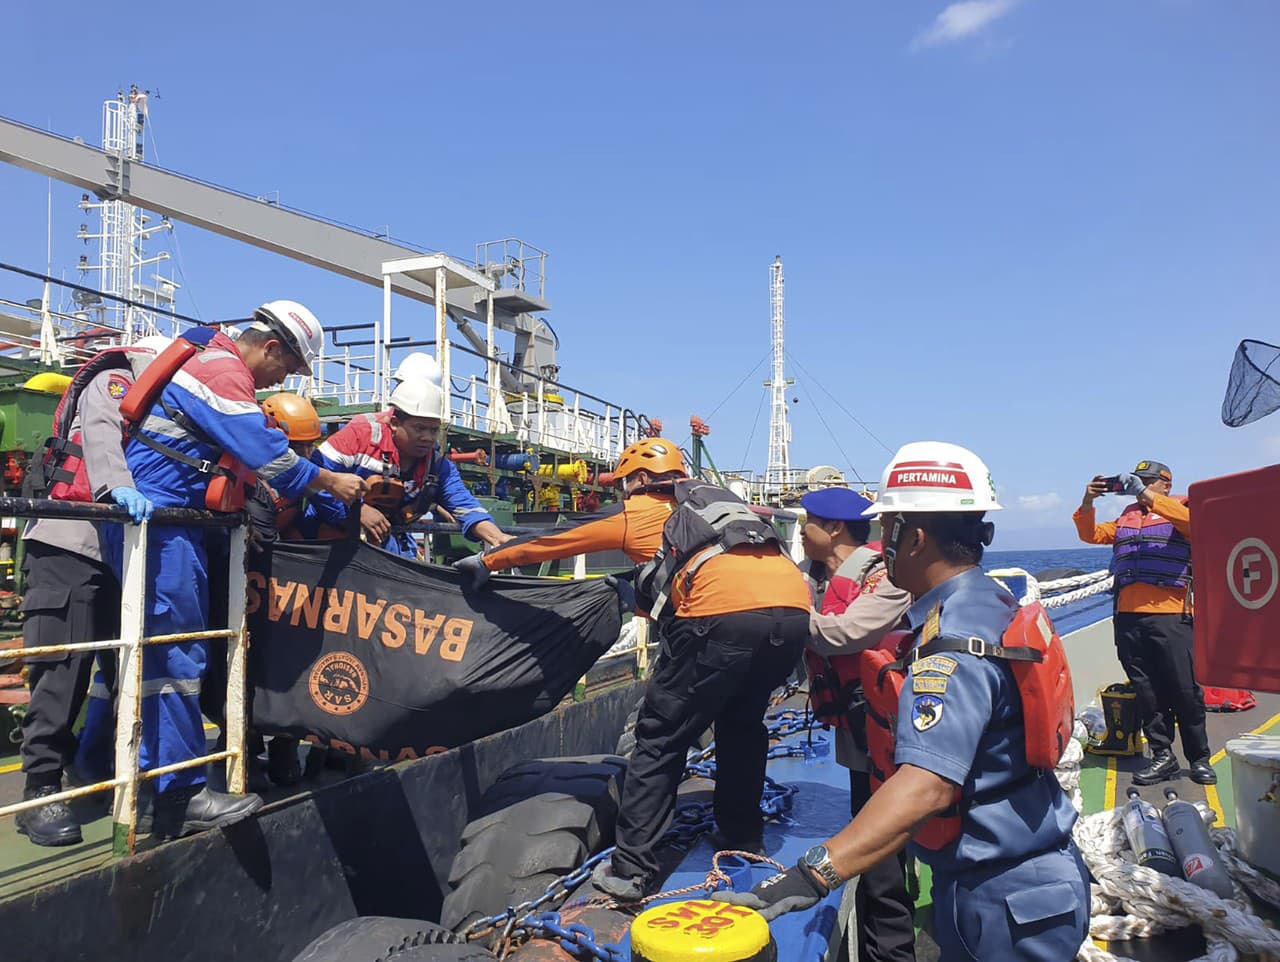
712 671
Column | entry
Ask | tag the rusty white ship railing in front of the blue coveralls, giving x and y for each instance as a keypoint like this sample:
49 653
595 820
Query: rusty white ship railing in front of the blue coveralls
135 580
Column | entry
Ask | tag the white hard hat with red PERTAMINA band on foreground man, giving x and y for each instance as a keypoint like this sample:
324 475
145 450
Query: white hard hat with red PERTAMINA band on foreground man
935 477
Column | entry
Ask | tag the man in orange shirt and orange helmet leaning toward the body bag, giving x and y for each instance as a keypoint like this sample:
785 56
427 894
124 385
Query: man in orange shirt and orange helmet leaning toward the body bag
734 617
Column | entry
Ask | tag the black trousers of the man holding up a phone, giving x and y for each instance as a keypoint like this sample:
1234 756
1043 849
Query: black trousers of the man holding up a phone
1156 654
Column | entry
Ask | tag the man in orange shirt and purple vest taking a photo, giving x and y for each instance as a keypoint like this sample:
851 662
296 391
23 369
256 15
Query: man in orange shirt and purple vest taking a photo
1153 567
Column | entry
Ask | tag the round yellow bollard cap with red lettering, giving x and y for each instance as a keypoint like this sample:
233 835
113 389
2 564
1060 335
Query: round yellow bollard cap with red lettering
684 932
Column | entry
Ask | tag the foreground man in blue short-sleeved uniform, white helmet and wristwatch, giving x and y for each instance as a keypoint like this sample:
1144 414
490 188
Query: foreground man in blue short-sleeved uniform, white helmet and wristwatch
1008 882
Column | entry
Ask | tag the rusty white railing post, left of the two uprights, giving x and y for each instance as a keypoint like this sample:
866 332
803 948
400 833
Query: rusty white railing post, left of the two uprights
129 725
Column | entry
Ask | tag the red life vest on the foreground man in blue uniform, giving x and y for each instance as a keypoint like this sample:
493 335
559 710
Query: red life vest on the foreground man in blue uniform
1035 652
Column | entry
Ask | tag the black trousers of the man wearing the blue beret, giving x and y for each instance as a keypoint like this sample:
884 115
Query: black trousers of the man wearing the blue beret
886 920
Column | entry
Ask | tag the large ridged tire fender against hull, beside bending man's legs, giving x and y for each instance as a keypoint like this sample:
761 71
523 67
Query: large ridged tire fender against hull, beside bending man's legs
541 821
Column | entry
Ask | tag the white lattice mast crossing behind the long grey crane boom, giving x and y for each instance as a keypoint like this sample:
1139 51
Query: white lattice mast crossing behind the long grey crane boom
125 230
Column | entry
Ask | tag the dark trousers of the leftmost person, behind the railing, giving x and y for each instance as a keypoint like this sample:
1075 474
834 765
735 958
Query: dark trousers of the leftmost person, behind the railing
70 599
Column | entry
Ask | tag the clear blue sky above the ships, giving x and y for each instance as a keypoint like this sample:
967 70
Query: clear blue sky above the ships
1036 230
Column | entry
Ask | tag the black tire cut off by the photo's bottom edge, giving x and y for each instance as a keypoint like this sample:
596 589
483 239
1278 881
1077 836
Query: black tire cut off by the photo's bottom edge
382 940
